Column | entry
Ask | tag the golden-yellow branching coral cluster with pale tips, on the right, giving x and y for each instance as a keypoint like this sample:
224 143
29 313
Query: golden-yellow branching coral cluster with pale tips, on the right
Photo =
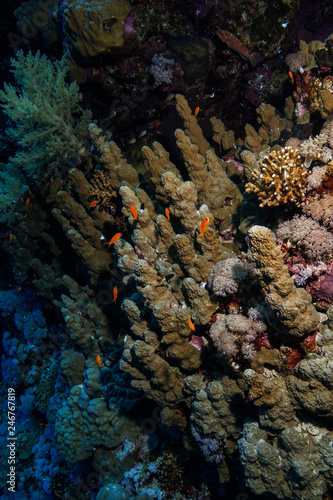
280 178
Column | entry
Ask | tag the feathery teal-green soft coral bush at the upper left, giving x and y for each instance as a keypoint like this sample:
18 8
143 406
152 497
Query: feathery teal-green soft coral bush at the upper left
49 123
